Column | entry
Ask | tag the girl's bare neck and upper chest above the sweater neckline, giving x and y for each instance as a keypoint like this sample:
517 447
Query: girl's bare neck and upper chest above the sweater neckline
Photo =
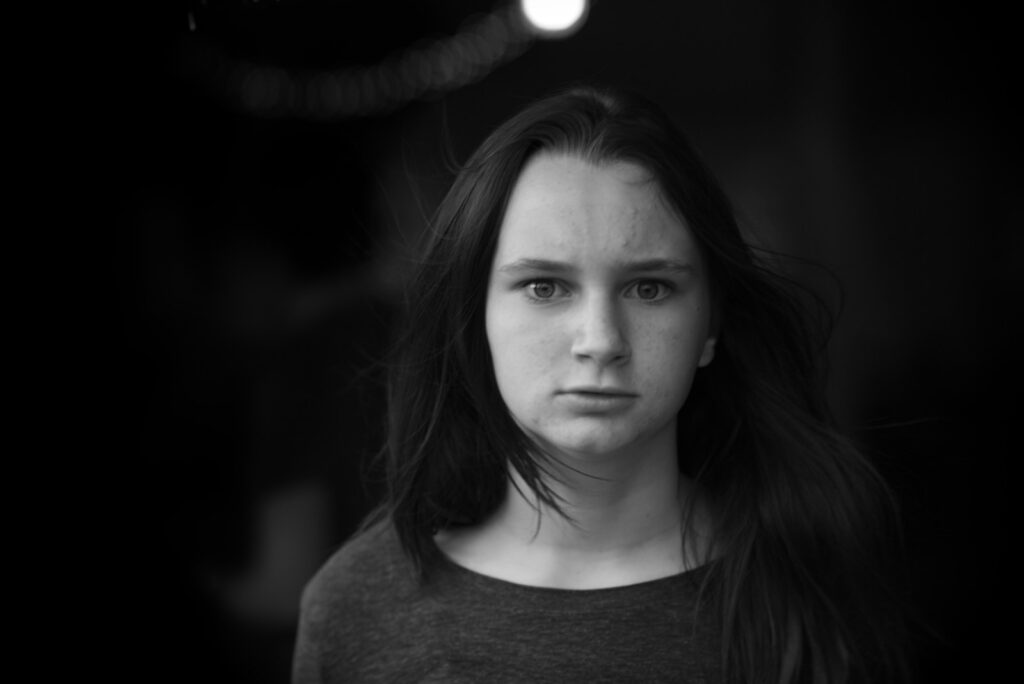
623 524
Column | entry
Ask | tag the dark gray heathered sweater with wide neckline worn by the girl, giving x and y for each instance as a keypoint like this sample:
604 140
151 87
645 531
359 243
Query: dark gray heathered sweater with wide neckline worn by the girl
366 618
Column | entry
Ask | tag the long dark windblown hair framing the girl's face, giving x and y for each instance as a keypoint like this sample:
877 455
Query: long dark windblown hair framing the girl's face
802 521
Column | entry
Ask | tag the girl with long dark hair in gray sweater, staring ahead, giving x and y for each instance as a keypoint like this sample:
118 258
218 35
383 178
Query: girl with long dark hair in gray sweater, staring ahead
609 458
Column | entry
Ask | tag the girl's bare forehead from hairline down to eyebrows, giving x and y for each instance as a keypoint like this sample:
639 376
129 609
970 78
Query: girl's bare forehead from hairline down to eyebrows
564 206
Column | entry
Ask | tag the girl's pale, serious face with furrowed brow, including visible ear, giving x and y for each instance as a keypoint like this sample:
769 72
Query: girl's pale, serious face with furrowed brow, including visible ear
599 308
